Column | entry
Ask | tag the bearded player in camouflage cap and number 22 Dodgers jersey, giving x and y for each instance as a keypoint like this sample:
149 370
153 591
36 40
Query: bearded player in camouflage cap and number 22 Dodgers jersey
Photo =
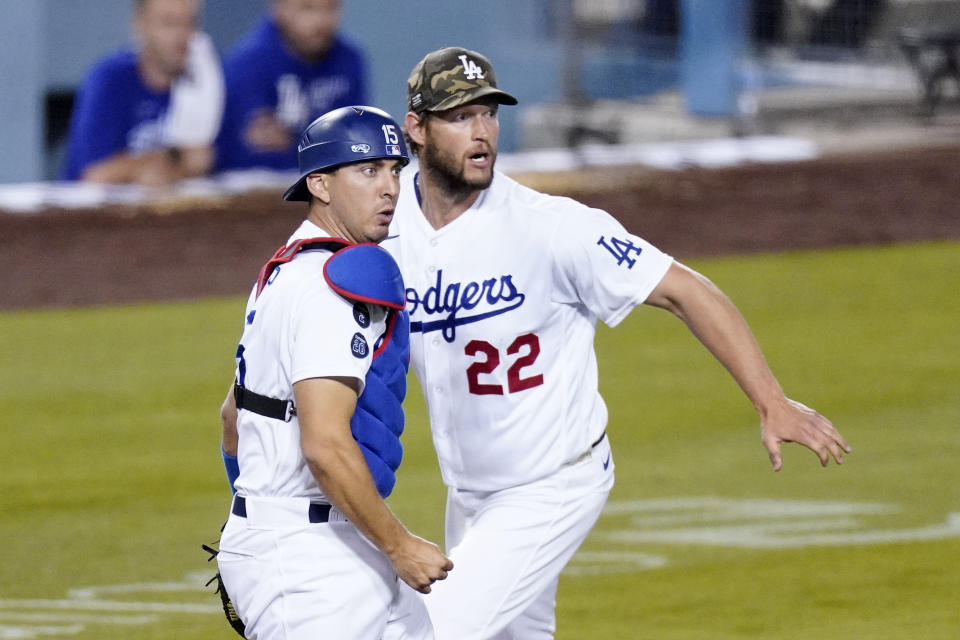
504 287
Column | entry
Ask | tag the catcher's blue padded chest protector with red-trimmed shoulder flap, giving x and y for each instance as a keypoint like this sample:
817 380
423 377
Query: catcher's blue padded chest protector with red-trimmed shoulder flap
366 273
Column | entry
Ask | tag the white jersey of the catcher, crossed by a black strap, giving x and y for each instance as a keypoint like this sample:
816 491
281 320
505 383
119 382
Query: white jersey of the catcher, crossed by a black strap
298 328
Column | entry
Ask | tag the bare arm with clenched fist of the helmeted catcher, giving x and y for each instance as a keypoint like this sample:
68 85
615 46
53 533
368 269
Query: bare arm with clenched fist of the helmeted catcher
324 409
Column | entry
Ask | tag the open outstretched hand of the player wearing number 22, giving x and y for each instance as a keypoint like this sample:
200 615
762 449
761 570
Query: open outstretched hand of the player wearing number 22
790 421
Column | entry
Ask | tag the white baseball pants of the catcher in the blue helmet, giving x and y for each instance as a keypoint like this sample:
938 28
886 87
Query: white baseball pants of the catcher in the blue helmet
292 580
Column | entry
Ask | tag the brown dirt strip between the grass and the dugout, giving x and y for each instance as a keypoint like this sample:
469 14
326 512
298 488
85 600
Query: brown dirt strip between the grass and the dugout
89 257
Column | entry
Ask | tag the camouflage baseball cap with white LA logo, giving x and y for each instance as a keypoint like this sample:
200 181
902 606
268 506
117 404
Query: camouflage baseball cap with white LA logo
452 76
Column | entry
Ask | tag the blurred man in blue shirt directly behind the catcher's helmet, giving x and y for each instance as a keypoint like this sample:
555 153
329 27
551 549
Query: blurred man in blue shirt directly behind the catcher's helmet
291 68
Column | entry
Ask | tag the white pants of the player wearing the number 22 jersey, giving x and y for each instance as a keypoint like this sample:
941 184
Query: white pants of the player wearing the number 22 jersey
508 548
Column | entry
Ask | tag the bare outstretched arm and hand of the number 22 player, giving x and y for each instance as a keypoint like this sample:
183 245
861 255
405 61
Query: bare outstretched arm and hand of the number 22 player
721 328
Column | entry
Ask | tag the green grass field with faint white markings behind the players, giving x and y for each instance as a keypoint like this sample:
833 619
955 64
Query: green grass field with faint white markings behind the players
111 476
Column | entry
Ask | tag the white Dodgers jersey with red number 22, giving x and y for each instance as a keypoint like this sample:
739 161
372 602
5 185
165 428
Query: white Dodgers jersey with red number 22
503 305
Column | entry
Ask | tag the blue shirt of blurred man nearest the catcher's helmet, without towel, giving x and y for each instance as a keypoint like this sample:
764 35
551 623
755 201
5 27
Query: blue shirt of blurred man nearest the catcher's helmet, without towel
261 73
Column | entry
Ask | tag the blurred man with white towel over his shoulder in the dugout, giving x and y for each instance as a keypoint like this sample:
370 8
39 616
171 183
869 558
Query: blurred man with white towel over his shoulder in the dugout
149 113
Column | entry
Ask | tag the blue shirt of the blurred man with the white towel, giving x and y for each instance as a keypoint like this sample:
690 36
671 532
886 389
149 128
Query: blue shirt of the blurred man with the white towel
115 112
